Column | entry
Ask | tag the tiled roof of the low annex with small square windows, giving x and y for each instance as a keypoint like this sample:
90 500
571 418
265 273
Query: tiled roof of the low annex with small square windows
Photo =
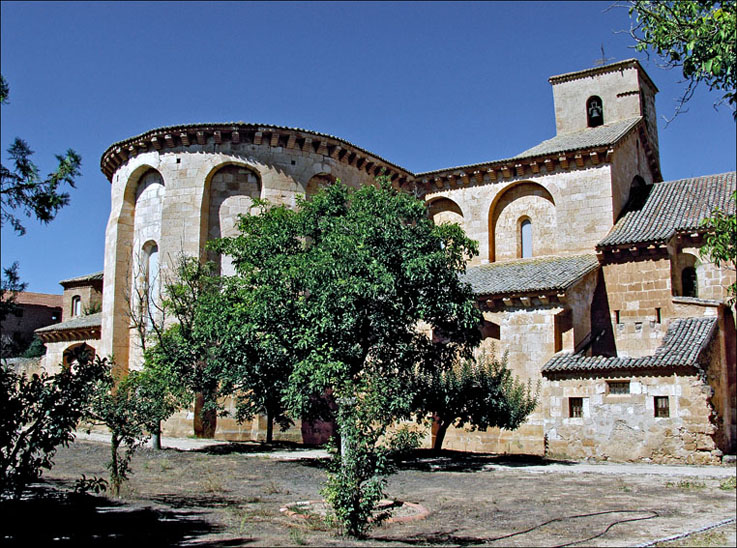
683 345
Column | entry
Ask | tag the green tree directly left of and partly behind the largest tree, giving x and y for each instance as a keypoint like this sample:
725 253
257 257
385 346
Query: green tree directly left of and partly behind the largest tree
258 314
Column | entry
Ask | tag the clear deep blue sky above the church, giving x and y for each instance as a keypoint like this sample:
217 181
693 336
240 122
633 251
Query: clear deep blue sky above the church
424 85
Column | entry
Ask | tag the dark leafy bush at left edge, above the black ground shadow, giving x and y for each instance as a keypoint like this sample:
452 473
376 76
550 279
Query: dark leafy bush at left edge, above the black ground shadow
37 414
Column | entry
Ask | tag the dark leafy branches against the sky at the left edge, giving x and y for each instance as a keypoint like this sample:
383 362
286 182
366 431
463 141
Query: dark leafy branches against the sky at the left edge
22 188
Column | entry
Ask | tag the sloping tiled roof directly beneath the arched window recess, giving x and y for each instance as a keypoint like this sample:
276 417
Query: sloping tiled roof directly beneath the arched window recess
527 275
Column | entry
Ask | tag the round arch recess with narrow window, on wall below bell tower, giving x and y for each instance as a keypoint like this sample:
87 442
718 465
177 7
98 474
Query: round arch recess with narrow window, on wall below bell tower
519 201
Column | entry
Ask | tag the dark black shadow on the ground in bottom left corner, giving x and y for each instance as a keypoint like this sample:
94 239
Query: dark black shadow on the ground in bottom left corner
47 515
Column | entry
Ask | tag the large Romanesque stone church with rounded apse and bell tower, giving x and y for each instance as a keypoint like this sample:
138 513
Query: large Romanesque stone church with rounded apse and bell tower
589 272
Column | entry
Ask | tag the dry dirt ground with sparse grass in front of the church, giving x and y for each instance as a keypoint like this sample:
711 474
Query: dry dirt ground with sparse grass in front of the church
230 495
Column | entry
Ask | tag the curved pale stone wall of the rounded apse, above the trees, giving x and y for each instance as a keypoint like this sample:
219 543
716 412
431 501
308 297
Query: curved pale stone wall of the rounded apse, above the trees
183 209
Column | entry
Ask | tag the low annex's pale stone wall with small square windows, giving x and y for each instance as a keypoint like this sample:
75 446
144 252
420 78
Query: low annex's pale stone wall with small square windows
624 427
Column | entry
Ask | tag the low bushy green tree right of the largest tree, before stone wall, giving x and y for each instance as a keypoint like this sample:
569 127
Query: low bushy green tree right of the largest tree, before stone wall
481 393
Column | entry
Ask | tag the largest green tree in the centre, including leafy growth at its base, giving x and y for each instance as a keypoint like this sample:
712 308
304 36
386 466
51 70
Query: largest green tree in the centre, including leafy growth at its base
364 270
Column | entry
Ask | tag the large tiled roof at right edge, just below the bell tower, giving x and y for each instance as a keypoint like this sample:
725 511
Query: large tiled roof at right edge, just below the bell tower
673 206
